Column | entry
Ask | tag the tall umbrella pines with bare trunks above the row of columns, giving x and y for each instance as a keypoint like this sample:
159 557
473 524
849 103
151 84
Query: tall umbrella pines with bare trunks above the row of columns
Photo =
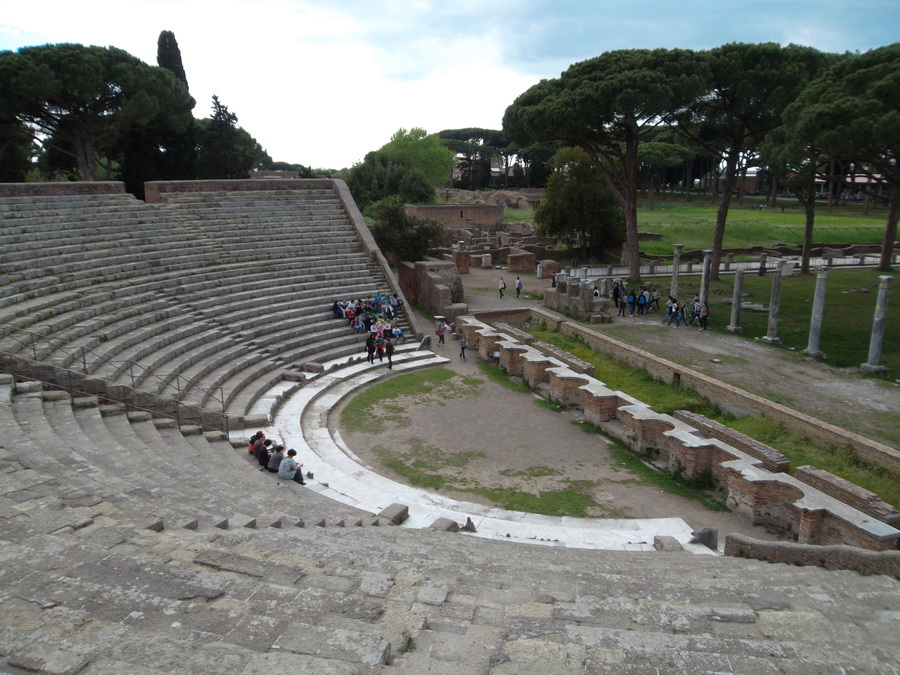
794 110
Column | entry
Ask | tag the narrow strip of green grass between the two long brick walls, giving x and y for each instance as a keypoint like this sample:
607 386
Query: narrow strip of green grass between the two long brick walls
668 398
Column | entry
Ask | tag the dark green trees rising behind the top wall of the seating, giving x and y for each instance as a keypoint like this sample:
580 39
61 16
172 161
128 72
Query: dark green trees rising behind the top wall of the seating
99 113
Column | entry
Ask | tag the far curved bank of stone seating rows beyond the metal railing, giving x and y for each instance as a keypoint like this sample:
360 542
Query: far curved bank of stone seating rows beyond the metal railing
211 297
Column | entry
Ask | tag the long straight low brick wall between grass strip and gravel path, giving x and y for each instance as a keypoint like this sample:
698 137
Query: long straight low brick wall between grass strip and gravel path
726 396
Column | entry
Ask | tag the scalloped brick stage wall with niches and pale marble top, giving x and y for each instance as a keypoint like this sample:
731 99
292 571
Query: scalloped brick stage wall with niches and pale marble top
771 499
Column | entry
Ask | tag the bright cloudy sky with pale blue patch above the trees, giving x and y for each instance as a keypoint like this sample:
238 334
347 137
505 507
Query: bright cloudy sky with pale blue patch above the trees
323 82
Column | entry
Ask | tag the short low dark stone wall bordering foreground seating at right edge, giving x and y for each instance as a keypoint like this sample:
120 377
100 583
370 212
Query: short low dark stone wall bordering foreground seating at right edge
829 557
